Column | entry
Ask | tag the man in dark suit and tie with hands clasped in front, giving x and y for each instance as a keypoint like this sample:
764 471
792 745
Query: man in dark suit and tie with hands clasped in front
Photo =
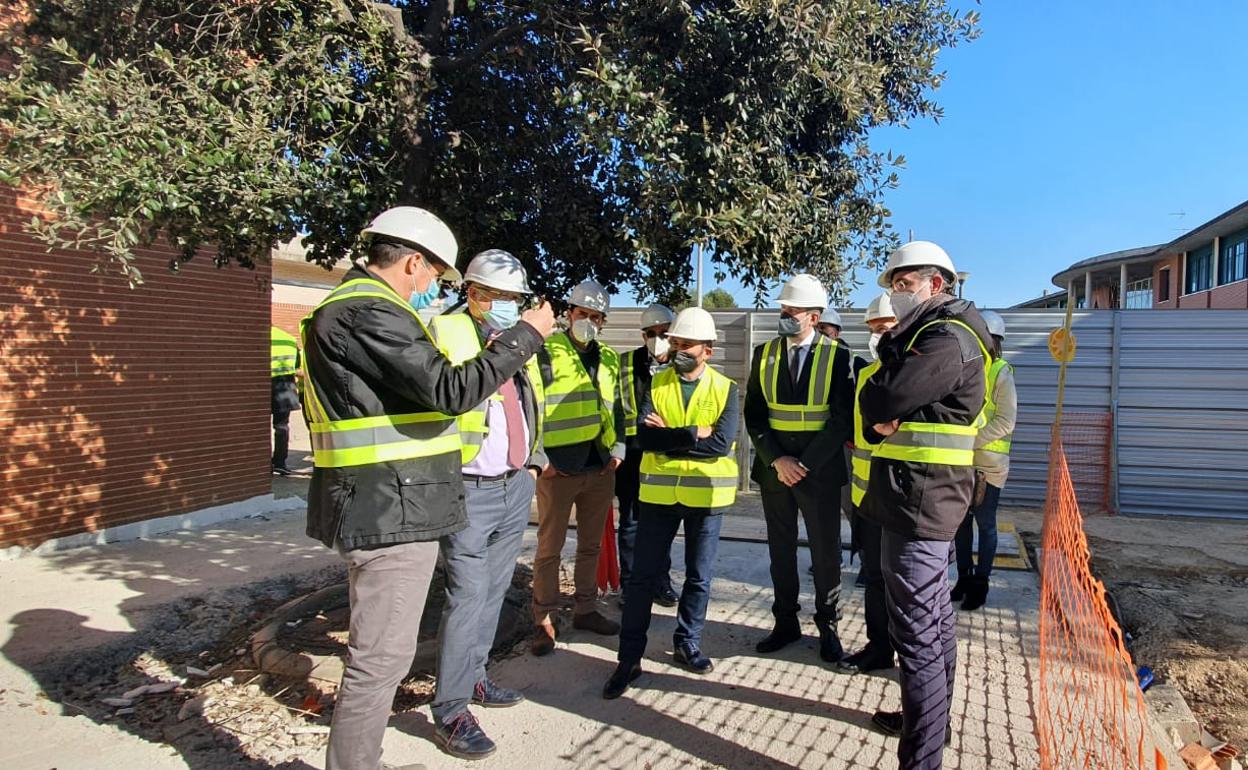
798 412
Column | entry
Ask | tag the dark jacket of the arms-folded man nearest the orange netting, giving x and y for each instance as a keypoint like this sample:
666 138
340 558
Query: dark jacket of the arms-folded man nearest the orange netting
939 380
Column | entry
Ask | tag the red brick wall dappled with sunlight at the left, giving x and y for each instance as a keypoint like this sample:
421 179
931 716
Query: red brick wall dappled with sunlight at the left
123 405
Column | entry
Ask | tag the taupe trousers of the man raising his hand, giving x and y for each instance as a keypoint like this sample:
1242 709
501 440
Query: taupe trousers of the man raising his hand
389 587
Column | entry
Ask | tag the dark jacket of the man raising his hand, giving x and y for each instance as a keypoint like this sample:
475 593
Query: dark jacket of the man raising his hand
370 358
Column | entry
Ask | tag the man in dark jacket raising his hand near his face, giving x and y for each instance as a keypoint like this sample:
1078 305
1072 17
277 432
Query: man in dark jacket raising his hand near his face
388 482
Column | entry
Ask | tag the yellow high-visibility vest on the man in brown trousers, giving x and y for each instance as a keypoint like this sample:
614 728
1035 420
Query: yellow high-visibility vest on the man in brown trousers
578 410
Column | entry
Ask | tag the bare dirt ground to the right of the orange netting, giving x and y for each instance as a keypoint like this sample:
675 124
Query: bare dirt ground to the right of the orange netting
1180 588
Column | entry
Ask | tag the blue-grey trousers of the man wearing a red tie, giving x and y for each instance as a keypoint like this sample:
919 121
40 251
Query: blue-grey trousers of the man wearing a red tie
480 561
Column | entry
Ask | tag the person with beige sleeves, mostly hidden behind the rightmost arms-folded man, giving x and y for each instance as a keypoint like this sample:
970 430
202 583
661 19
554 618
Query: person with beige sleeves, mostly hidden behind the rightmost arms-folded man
992 470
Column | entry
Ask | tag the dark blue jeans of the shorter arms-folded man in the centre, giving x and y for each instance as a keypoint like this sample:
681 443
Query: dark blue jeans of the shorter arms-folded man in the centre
656 531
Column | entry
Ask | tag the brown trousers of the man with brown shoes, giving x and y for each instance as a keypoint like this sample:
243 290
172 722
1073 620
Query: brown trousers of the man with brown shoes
592 495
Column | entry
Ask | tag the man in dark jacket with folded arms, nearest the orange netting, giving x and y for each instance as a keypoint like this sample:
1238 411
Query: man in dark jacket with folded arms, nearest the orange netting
922 409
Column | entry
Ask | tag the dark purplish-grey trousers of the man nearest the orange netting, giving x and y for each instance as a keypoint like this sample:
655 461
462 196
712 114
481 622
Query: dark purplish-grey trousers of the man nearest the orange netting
925 635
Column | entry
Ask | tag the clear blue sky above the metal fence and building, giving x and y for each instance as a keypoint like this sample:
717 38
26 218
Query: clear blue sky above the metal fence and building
1075 129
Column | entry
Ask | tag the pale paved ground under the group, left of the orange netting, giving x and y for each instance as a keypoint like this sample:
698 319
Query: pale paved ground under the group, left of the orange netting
93 623
